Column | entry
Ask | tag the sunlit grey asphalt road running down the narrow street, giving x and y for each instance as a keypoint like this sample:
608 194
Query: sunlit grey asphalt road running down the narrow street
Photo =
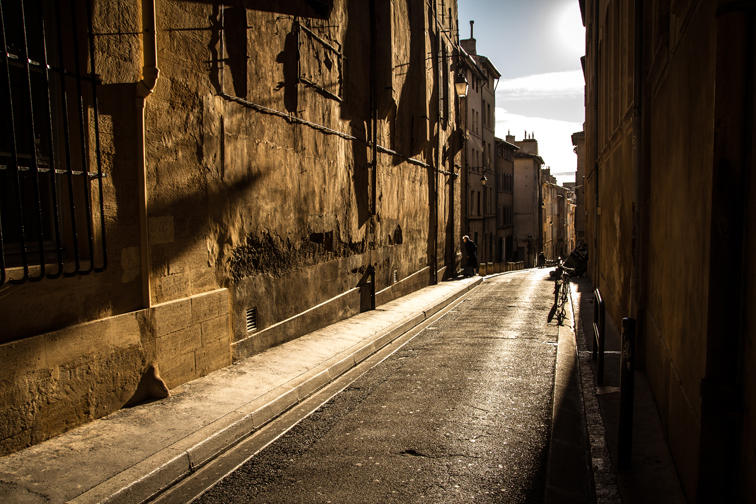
461 413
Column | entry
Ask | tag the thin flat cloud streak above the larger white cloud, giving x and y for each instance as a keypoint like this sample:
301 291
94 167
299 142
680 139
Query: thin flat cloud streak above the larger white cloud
556 85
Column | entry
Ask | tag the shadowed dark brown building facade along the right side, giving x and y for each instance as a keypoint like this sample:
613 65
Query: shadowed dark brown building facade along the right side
670 200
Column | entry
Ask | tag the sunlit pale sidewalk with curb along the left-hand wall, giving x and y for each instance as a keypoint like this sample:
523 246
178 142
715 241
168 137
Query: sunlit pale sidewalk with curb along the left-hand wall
134 453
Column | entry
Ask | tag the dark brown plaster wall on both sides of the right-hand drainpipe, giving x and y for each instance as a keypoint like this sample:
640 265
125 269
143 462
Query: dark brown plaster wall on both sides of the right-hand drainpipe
678 92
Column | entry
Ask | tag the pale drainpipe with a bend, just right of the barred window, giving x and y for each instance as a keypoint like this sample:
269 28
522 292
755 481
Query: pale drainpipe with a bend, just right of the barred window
144 88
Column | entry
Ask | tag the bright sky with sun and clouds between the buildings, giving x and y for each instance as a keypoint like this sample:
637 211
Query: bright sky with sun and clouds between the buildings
536 45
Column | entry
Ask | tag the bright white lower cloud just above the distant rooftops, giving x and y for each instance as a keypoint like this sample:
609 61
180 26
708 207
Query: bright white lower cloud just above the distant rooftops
553 135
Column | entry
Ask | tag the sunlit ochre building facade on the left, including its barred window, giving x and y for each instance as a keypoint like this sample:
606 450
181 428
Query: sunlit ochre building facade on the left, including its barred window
208 179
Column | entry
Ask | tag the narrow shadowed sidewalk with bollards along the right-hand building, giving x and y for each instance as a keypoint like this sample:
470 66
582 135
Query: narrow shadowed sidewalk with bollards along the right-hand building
652 477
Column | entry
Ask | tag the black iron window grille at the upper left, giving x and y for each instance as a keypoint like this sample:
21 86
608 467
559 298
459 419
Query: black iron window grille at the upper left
52 221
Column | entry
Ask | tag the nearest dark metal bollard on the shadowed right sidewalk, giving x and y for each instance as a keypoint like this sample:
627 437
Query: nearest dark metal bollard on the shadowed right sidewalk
627 368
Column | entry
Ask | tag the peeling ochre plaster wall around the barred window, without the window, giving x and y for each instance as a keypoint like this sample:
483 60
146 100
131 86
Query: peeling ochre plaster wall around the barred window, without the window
258 194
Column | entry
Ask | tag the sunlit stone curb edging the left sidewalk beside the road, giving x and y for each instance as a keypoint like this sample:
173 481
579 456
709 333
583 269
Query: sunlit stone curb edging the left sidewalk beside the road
145 479
